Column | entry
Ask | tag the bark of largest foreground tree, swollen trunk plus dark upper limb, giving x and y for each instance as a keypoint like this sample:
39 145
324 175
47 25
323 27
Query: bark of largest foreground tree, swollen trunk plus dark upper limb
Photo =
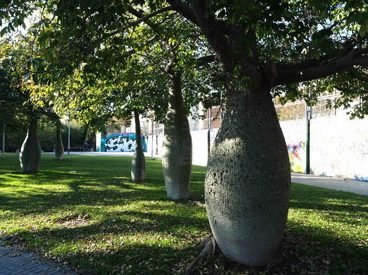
248 174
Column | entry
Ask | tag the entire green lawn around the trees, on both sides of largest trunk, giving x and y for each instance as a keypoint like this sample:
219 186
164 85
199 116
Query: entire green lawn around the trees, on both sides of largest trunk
86 213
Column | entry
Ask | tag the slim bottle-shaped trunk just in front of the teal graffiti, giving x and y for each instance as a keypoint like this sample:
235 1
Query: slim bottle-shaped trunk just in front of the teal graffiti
138 170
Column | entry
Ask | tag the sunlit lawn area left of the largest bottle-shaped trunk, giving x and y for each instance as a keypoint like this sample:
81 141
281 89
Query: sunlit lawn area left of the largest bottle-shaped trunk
87 212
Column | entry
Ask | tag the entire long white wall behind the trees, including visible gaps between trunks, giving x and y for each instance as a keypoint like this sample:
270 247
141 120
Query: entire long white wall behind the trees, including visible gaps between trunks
339 146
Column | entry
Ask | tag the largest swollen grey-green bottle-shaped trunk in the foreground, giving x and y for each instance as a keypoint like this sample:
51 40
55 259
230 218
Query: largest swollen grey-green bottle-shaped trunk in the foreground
247 182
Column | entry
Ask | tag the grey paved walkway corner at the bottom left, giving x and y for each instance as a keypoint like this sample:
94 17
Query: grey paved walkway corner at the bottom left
14 261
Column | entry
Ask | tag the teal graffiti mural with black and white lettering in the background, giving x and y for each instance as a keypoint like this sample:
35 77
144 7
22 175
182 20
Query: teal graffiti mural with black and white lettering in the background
121 143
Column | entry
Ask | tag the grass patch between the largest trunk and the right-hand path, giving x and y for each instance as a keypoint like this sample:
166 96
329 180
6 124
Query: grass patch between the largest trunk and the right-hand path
330 227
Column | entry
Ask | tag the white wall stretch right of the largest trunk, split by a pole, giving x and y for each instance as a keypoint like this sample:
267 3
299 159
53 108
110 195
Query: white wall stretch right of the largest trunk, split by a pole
339 146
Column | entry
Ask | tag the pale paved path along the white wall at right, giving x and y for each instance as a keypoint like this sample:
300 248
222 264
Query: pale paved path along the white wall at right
347 185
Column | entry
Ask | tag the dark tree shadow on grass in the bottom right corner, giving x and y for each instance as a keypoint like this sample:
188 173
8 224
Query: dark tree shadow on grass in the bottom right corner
324 250
